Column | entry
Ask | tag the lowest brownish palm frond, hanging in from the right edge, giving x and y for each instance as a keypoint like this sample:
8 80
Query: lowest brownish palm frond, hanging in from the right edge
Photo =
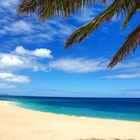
131 43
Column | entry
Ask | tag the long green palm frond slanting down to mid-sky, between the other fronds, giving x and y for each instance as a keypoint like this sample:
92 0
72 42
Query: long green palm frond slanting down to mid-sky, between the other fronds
117 7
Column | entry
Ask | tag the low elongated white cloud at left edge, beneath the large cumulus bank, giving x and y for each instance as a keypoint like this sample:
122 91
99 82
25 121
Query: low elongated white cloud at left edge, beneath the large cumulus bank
9 77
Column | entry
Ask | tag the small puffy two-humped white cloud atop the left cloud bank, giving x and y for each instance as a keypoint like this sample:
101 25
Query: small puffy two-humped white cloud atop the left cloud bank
43 53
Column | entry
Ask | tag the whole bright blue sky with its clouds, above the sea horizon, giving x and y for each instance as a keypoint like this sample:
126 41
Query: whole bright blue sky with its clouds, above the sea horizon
34 62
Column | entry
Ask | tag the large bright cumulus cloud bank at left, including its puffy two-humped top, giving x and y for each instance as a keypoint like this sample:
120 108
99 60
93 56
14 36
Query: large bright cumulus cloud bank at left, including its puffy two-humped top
21 59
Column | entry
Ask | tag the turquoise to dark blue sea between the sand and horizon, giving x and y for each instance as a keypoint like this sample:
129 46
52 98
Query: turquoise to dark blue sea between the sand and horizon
111 108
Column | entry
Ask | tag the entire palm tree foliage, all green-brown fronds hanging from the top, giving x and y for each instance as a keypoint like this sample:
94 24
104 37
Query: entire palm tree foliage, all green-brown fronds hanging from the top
46 8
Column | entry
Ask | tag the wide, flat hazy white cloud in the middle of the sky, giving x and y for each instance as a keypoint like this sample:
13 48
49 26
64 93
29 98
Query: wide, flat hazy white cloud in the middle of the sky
77 65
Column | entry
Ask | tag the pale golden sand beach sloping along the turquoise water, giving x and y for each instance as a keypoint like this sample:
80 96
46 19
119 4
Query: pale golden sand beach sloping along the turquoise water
22 124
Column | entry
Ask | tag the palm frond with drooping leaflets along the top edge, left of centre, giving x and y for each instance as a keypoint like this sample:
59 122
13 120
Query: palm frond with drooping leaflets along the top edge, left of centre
46 8
